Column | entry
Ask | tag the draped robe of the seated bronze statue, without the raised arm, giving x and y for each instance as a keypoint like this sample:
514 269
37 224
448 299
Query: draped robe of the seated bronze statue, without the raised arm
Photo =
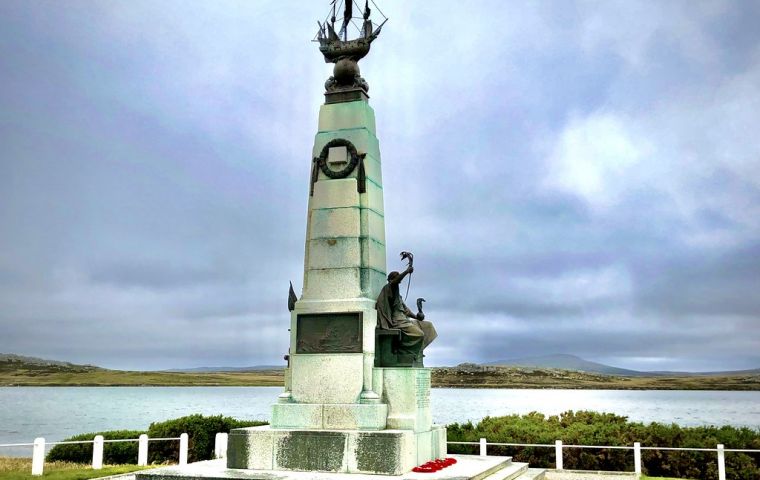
392 313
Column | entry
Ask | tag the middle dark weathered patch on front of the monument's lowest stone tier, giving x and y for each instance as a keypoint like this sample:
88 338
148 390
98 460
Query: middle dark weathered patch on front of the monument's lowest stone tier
312 451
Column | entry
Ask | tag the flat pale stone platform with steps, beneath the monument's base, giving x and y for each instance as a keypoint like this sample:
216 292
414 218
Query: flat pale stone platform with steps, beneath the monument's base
468 467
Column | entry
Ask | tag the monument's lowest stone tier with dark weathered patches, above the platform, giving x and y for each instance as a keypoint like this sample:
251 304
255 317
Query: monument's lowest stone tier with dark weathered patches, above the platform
386 452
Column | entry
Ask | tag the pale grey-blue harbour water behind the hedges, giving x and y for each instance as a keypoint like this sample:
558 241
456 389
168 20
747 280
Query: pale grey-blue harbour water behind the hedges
58 412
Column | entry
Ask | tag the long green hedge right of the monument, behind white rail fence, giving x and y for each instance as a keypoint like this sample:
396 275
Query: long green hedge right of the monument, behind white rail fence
591 428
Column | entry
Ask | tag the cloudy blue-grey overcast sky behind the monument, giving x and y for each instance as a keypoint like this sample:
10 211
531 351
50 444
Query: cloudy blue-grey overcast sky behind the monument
573 177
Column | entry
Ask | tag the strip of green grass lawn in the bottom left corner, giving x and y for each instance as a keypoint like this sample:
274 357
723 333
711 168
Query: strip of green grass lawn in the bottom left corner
21 469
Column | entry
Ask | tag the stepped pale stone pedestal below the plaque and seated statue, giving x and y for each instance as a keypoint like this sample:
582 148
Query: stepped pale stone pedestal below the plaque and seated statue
390 436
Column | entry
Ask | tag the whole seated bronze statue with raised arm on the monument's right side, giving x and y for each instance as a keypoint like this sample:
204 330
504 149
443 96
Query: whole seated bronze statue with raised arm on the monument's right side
393 314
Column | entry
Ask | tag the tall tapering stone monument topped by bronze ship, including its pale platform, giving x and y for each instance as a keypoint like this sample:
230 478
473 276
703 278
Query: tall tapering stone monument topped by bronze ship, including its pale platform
357 396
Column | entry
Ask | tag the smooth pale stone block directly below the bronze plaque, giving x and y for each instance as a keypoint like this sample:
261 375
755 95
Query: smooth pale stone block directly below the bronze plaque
327 378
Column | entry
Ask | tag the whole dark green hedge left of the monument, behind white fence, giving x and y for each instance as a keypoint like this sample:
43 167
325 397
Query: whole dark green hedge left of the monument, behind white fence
201 431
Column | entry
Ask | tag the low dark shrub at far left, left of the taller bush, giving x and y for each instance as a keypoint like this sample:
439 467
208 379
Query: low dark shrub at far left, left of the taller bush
113 453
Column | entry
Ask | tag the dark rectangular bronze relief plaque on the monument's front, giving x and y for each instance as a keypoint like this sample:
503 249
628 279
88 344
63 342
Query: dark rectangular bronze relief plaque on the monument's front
329 333
